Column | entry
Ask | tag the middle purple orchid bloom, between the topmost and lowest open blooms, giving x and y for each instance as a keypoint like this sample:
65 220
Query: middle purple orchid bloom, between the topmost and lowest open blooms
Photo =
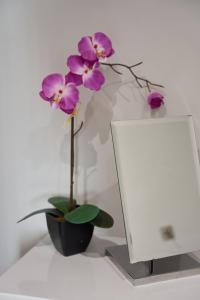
83 71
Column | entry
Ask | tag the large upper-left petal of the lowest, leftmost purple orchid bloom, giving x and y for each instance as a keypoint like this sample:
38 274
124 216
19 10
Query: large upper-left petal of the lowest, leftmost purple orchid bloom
51 84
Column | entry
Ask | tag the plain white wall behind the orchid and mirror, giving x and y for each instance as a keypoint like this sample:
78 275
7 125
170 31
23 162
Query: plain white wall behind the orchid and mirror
36 37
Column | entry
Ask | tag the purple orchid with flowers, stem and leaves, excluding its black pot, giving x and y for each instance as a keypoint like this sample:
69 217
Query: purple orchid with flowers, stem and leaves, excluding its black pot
62 91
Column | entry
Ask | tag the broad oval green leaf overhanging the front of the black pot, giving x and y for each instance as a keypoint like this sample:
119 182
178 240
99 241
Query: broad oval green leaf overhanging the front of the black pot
83 214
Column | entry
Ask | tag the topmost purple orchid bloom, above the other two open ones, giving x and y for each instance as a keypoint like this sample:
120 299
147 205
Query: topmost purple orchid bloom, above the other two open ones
96 47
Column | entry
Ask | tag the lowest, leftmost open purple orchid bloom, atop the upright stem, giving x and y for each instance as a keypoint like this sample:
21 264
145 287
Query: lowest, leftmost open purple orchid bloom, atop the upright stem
59 93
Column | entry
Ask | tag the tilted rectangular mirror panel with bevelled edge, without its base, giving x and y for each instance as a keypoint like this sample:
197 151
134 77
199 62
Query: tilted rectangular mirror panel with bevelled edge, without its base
158 171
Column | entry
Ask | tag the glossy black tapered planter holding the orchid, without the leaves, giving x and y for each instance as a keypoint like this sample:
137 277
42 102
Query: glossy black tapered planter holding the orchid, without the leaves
68 238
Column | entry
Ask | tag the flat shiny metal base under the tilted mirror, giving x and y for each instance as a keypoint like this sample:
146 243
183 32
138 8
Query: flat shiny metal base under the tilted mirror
155 270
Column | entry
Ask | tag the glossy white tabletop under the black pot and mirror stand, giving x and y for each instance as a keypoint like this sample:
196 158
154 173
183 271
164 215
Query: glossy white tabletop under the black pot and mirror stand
43 272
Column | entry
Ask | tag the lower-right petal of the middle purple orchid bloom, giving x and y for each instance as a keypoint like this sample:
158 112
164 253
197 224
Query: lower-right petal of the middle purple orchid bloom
93 80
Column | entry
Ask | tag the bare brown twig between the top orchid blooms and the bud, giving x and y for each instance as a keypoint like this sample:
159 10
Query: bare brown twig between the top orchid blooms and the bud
138 79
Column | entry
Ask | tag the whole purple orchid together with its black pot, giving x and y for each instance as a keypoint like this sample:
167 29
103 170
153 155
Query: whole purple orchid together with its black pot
70 224
